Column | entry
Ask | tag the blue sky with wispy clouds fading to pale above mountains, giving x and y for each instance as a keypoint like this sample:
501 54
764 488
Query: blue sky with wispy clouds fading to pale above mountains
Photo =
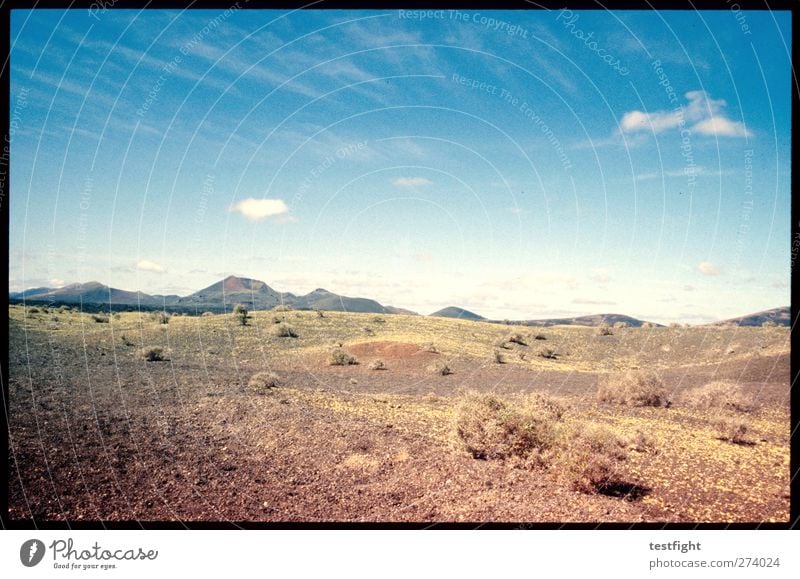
522 165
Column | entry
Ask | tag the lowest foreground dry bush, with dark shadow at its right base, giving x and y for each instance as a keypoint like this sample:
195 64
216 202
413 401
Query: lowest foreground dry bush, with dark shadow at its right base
591 457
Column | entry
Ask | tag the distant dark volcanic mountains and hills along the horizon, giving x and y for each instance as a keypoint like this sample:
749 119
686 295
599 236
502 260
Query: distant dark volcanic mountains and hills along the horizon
257 295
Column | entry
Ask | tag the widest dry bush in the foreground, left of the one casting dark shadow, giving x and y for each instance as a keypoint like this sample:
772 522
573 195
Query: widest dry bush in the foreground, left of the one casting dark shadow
491 428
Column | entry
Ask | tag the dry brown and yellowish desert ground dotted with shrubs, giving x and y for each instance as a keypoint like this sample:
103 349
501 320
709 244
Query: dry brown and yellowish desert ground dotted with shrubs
99 432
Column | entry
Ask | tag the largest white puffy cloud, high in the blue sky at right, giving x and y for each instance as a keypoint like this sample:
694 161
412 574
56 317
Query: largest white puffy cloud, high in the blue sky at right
701 114
